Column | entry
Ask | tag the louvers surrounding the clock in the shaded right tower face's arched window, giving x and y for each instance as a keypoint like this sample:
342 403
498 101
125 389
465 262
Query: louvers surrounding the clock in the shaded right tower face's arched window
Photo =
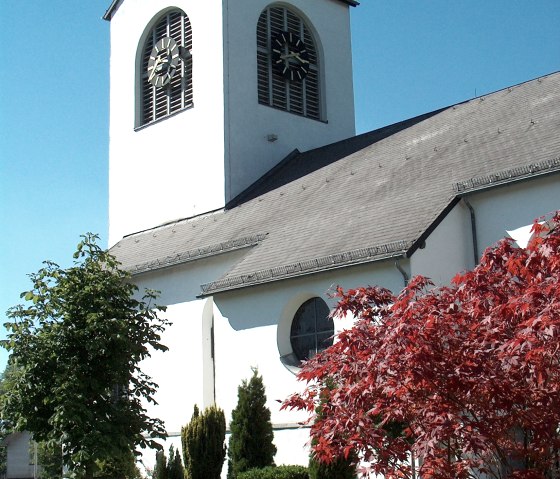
299 97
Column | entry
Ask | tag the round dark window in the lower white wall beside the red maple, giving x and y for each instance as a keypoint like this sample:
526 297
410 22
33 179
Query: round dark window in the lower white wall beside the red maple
312 329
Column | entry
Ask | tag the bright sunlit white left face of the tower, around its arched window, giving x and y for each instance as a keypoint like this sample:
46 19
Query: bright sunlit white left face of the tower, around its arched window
166 170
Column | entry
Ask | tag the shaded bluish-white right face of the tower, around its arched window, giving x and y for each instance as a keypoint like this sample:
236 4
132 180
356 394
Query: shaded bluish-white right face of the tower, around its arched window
248 153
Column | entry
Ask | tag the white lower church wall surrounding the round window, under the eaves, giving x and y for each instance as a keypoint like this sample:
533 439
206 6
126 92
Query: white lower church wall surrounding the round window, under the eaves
252 328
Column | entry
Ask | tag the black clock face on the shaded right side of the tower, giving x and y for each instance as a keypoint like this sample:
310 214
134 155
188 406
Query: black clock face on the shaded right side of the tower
289 56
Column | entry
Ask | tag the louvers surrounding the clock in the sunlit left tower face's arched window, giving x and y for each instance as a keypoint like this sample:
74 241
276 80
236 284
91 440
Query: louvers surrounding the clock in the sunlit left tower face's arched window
159 102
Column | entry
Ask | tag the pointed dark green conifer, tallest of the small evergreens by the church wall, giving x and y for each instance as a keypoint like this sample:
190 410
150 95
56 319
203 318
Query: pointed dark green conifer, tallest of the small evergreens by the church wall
250 443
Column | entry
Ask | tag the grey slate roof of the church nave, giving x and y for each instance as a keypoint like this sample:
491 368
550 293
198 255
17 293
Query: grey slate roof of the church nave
367 198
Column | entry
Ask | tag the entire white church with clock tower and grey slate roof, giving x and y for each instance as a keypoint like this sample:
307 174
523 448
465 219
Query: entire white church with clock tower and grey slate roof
239 189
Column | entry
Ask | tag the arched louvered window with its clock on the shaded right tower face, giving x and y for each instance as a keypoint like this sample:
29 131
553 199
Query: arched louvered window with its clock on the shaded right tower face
287 63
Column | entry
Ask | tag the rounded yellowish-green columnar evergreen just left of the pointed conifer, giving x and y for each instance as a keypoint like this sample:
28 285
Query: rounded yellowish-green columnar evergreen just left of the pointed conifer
203 443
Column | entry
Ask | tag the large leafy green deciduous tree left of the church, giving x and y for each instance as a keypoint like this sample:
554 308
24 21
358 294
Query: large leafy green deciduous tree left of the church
75 352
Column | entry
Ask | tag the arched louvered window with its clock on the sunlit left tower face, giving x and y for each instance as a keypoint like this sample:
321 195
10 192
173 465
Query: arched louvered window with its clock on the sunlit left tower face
166 68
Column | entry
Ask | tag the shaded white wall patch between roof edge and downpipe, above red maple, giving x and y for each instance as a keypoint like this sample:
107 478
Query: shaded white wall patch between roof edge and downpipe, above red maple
448 250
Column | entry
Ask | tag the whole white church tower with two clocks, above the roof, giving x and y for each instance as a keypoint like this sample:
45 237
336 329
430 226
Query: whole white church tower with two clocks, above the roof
206 97
